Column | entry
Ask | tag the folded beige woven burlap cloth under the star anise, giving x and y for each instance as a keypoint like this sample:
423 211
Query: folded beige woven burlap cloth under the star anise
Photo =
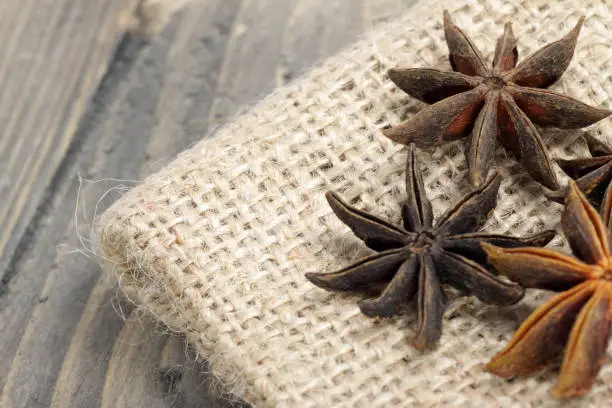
216 244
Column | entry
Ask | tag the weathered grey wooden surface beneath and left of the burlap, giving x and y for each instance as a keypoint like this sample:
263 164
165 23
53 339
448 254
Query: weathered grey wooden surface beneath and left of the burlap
68 338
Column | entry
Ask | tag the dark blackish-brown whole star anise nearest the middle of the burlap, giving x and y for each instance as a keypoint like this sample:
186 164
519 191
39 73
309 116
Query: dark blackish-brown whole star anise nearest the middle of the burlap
415 259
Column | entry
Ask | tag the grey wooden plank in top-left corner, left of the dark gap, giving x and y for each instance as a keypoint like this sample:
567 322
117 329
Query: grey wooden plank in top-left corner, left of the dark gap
52 56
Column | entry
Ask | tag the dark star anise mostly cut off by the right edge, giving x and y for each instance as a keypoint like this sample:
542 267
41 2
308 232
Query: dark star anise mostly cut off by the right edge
593 176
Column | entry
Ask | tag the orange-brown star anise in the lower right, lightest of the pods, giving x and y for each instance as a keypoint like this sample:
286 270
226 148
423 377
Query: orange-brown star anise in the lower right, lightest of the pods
578 319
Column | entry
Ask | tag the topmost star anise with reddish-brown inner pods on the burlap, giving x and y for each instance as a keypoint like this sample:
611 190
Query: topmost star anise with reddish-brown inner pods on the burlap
500 102
